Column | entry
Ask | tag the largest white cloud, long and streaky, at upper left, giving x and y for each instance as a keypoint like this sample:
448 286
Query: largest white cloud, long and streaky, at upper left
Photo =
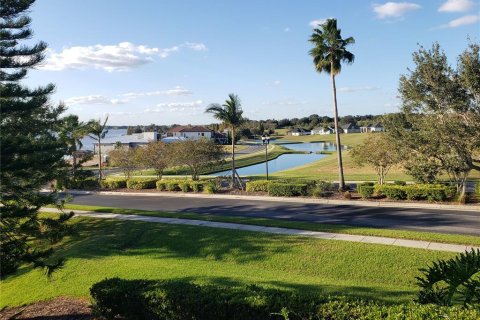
119 57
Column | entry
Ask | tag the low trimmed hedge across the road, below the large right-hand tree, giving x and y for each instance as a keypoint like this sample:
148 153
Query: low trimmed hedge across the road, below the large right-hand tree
430 192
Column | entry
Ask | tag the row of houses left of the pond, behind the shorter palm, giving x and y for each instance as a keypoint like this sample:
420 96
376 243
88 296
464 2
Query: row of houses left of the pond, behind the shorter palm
177 133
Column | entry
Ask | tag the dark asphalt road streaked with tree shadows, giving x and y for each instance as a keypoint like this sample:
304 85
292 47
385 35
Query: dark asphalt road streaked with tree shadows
432 220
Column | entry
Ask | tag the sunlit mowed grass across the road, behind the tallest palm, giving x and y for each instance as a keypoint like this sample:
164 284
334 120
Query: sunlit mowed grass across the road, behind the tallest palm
327 168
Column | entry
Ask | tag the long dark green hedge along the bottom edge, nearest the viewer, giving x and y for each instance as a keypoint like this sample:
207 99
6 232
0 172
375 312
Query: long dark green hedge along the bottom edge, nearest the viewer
180 300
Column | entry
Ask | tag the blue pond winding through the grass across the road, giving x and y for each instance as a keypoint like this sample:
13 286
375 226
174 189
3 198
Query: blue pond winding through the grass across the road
286 161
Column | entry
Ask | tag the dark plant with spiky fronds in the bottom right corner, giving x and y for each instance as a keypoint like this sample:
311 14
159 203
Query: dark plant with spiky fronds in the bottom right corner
452 281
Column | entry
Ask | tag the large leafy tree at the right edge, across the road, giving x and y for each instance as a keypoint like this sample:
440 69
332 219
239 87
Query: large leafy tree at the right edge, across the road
441 114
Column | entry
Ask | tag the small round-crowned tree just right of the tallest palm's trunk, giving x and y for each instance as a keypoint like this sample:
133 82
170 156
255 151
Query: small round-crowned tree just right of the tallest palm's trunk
378 151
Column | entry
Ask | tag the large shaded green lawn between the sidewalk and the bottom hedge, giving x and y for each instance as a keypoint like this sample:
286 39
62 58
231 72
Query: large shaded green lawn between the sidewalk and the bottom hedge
133 249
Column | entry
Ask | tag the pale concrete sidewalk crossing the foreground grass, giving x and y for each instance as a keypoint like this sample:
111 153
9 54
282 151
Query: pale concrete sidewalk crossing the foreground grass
274 230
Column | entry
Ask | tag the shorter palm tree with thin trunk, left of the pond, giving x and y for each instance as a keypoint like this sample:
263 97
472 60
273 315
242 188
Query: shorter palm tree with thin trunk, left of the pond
230 113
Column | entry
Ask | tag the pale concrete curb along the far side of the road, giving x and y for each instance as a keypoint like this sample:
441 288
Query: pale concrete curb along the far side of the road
472 208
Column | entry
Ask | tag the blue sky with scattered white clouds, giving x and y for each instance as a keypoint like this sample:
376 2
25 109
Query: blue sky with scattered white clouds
164 62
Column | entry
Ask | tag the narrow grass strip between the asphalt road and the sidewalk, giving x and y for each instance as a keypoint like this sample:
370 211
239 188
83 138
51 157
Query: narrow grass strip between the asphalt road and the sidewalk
324 227
